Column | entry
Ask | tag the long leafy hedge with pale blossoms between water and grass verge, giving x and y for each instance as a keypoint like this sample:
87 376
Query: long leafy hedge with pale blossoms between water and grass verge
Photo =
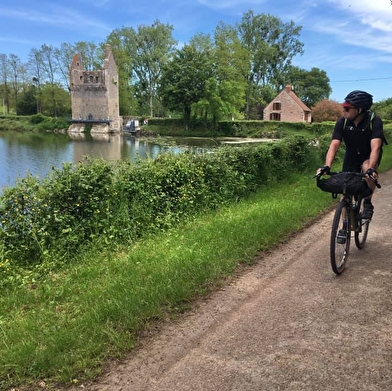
49 220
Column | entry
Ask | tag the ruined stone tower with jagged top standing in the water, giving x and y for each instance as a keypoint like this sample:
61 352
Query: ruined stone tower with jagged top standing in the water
94 96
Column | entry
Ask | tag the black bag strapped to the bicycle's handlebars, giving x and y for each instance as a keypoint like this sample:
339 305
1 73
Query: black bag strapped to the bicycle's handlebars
345 183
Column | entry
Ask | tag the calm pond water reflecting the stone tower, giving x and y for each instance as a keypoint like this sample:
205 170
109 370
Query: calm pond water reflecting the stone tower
22 153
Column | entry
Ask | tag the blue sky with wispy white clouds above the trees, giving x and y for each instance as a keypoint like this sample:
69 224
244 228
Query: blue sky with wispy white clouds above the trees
351 40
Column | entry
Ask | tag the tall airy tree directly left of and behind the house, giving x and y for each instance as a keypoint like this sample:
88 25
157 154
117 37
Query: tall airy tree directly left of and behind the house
271 46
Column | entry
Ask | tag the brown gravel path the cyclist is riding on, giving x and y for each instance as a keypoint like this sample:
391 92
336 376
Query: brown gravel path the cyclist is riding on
287 323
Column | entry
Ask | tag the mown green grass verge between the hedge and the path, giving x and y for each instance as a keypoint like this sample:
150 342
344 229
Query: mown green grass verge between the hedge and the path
64 328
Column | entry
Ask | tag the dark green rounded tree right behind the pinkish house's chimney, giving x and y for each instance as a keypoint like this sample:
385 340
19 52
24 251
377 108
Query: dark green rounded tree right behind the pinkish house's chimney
310 86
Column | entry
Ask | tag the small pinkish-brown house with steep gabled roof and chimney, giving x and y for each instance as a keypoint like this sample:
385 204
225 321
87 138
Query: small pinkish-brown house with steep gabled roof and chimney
287 107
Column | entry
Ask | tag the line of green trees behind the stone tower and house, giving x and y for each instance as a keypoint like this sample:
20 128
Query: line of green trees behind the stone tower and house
233 73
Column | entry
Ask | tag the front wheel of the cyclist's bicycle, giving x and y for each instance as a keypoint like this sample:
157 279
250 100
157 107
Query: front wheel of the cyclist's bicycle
339 251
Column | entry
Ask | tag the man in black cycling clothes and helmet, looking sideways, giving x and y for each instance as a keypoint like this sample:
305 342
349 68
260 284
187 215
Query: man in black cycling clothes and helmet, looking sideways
363 135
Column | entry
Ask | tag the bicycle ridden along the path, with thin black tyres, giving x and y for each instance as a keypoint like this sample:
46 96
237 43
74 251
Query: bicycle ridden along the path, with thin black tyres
348 214
